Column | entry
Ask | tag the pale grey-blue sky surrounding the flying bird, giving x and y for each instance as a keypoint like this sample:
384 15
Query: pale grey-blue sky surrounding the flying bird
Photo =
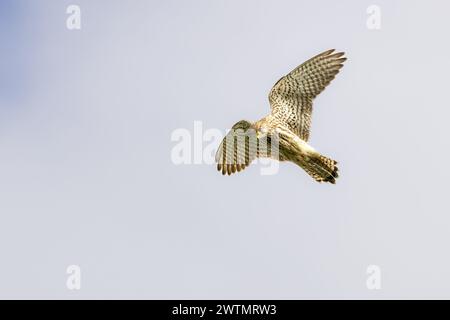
86 175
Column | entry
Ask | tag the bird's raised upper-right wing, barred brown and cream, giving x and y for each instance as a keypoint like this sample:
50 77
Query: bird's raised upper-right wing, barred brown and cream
291 97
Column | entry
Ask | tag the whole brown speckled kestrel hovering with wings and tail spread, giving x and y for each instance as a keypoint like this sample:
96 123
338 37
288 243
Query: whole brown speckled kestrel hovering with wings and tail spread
284 133
